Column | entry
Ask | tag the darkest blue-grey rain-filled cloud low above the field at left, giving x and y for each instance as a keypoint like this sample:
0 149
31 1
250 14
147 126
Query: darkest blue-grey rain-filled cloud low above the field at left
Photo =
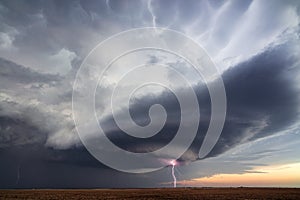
35 166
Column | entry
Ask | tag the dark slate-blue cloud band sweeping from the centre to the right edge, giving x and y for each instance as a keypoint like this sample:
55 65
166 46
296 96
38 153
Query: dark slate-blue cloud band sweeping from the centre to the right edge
262 100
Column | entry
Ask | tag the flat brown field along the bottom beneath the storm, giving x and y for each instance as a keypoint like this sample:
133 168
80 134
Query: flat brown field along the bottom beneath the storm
163 193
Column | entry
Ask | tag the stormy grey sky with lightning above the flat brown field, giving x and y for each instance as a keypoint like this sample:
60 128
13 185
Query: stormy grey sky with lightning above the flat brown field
254 45
